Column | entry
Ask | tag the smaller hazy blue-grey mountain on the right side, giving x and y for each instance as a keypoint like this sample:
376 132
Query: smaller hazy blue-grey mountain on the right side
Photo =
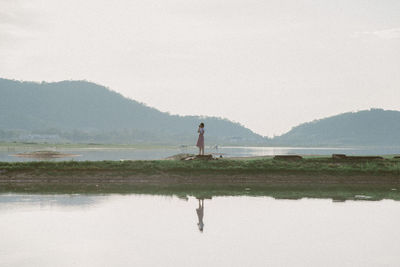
375 127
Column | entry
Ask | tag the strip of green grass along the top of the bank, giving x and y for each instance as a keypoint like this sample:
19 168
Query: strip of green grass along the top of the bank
225 166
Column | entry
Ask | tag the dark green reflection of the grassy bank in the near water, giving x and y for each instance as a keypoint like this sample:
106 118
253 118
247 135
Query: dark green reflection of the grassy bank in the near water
335 192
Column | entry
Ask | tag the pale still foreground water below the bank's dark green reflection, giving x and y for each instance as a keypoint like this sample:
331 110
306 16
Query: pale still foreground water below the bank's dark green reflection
147 230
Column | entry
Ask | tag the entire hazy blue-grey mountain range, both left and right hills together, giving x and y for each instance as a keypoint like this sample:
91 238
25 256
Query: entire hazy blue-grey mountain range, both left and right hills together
80 111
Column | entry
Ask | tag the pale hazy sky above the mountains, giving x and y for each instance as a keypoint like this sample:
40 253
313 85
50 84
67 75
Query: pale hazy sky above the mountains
269 65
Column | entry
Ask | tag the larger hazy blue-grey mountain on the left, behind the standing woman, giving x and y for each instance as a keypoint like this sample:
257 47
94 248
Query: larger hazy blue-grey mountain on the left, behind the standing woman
80 111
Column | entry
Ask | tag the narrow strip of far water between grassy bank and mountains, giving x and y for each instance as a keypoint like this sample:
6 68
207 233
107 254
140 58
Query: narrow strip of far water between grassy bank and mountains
160 153
